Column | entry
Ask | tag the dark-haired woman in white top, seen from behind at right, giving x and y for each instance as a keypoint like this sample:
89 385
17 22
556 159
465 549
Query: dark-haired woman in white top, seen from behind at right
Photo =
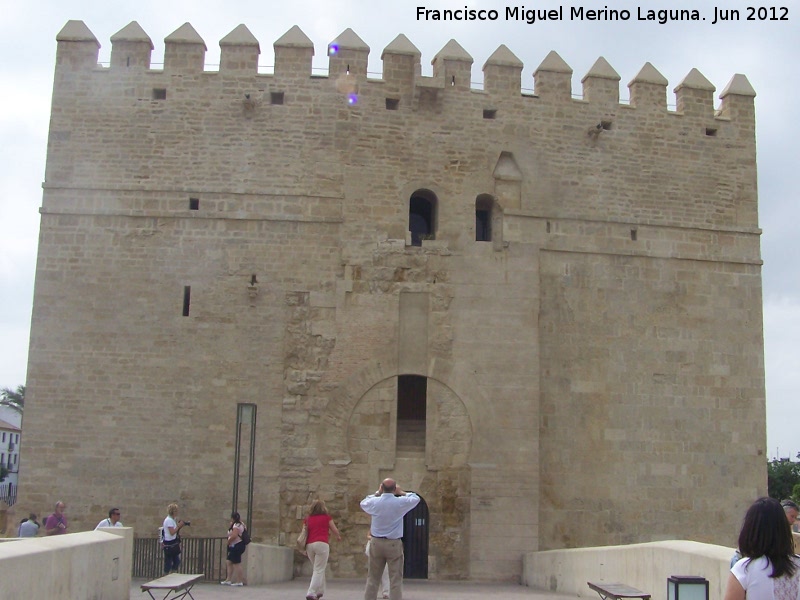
769 568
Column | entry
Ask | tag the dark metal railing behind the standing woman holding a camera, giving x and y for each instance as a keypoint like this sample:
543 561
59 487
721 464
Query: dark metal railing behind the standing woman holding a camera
198 555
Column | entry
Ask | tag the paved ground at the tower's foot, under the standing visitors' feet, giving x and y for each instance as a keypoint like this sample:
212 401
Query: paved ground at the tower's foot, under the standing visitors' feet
352 589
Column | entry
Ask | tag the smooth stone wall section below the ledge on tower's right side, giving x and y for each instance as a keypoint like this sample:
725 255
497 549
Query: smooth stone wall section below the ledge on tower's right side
647 432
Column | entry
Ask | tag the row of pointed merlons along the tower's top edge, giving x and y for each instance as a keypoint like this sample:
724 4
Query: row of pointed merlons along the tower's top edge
348 54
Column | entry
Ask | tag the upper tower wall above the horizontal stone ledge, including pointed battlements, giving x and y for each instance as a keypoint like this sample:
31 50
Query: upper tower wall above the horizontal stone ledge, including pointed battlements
299 134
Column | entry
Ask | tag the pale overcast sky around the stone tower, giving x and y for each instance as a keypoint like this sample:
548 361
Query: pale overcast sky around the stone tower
767 52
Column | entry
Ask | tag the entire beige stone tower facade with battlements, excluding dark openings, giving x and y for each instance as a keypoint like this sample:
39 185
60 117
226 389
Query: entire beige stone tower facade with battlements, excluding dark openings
604 346
